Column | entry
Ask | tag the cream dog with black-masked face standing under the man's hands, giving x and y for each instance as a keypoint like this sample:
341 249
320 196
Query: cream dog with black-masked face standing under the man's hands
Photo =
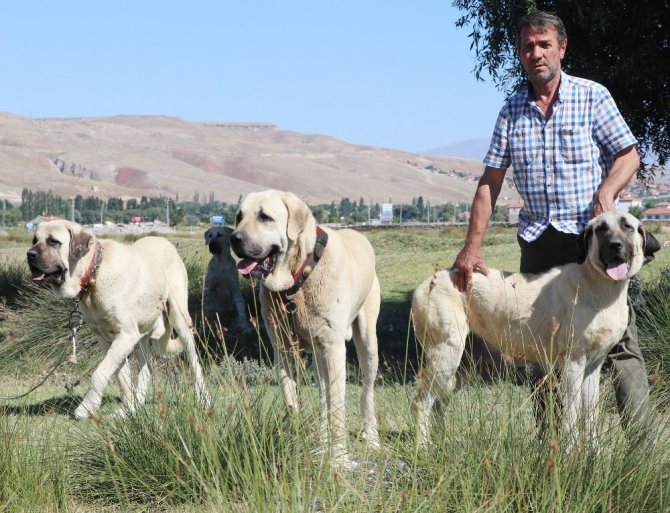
567 319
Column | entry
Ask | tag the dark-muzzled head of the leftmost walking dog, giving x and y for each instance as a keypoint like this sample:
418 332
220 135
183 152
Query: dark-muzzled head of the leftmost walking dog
54 258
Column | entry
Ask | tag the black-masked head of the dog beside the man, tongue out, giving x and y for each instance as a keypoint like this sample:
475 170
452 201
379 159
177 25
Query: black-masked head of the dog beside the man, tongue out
616 245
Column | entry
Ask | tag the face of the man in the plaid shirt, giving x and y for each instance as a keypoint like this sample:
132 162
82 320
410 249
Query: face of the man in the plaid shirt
541 54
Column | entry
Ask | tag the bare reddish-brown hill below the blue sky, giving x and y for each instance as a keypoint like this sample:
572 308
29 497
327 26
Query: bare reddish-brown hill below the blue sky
134 156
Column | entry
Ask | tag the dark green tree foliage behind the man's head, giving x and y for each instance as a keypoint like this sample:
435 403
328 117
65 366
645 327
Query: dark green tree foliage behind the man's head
622 44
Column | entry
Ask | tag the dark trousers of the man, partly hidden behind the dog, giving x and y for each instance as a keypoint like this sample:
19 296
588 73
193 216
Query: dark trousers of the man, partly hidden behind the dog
554 248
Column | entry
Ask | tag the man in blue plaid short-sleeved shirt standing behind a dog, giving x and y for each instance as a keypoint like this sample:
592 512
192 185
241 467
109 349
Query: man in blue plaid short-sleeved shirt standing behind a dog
571 153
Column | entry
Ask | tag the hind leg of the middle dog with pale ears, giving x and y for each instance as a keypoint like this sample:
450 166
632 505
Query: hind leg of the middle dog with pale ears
365 340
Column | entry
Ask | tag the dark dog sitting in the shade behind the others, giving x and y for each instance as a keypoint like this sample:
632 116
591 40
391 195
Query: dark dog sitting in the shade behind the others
223 295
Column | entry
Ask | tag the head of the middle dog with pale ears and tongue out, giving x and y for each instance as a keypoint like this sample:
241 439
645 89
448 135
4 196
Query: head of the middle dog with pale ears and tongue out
272 229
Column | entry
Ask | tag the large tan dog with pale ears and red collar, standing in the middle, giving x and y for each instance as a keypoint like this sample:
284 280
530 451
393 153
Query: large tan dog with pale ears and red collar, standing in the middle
278 241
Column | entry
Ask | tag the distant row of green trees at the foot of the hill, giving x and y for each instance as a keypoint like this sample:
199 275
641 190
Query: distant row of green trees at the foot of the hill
199 209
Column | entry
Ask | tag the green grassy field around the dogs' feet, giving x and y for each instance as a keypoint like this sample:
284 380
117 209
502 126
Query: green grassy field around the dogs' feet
247 455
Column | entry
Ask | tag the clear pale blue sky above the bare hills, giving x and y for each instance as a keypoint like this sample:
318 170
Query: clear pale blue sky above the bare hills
395 74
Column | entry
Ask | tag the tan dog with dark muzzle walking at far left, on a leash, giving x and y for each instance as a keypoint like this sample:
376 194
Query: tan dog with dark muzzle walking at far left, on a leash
126 295
